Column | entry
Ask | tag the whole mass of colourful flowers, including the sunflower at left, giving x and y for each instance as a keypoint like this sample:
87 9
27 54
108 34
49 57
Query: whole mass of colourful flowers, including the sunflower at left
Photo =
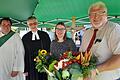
70 66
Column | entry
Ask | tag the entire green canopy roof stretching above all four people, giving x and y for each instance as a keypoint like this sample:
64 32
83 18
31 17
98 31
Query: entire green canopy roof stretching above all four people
49 12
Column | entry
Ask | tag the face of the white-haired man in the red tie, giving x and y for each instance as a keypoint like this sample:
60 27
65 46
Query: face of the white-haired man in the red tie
98 16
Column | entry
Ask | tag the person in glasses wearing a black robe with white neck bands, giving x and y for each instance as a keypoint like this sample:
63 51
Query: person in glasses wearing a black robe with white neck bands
33 41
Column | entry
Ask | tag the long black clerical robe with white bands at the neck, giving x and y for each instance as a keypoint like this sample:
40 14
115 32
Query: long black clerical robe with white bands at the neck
31 51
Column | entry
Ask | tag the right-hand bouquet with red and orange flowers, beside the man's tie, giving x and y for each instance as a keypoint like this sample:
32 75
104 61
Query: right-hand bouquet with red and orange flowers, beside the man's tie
82 62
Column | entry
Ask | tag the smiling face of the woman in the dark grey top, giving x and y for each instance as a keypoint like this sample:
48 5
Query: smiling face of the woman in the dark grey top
60 31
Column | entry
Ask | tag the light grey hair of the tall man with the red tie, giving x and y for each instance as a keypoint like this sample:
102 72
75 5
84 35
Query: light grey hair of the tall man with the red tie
98 4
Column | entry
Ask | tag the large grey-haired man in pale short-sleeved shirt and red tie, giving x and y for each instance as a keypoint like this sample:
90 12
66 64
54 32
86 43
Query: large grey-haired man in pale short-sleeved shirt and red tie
106 45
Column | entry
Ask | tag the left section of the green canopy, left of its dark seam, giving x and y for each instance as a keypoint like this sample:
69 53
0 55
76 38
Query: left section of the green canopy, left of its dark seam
17 10
